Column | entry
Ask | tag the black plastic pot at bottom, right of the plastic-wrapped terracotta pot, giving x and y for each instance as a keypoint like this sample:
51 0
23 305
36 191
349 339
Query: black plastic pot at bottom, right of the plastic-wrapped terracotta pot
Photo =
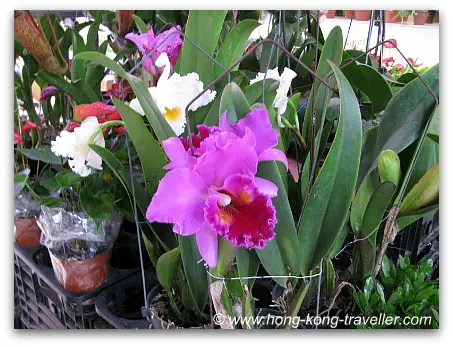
121 304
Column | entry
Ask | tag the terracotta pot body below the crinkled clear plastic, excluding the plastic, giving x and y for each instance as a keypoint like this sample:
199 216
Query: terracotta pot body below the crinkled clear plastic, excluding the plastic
82 275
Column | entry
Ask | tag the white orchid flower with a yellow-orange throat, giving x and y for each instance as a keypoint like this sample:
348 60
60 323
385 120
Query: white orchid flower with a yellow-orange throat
173 93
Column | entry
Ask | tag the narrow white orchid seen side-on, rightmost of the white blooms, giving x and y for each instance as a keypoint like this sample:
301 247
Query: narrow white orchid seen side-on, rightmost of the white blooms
281 99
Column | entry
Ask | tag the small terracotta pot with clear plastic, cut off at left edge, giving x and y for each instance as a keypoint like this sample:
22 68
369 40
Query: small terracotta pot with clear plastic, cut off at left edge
26 230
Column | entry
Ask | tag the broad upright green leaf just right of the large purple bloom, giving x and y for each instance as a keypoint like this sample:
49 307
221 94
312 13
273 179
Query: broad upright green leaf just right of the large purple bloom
331 194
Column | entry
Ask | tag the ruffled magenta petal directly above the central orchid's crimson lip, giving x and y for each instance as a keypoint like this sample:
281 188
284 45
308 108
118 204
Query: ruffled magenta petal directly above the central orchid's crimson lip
226 154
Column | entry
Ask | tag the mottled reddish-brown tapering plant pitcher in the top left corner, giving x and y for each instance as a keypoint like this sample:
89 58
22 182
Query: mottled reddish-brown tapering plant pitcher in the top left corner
27 32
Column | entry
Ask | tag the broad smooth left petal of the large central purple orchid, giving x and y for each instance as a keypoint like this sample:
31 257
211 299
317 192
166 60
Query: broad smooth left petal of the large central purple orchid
179 200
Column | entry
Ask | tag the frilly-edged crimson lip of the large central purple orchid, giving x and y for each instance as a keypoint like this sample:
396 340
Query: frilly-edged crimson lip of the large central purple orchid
249 220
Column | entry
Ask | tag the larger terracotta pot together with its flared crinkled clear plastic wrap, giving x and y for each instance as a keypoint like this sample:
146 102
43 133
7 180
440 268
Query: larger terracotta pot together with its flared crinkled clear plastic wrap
80 253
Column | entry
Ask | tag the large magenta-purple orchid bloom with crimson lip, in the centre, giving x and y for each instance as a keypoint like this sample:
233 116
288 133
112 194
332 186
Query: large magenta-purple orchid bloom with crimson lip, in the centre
216 191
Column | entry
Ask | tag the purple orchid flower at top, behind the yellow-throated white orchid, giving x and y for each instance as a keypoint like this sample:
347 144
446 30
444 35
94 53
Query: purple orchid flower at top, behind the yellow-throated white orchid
147 42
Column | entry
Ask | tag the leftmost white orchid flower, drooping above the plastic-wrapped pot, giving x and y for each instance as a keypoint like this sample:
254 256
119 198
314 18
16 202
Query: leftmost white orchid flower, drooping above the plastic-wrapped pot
75 146
